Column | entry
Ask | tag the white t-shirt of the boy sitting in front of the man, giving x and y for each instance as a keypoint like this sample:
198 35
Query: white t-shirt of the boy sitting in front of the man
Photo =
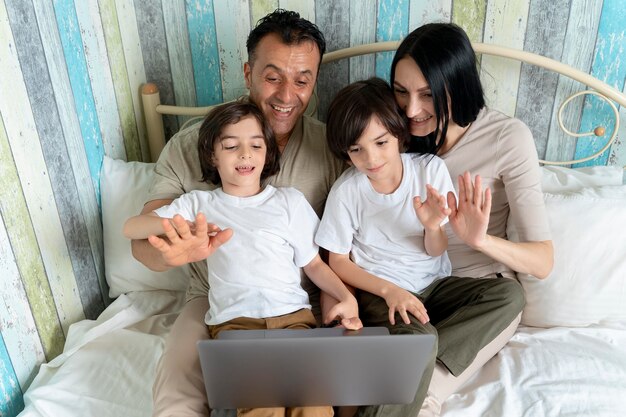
256 273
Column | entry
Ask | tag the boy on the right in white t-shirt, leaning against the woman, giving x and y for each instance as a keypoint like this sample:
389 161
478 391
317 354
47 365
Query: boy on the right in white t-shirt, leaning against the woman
384 217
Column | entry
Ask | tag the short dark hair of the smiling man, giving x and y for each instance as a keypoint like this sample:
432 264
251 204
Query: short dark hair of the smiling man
291 28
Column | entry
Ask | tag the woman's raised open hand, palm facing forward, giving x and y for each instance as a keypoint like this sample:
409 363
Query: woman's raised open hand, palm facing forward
470 219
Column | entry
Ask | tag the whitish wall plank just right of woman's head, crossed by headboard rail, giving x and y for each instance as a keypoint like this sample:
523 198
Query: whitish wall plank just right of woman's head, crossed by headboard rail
505 24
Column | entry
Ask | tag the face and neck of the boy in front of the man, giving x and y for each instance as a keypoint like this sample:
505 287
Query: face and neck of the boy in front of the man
239 156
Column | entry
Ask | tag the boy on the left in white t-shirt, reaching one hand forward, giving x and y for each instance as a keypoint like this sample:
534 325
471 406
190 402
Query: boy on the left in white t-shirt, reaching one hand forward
267 233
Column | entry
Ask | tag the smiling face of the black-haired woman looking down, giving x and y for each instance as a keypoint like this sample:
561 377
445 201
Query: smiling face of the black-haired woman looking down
414 97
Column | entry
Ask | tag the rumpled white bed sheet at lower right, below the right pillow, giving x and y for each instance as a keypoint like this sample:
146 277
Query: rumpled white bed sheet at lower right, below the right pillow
560 371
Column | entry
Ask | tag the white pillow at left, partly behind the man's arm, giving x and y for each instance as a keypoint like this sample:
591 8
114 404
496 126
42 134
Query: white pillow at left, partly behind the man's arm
123 187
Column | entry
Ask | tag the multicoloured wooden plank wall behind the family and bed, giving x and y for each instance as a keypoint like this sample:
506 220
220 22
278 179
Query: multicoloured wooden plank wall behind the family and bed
70 73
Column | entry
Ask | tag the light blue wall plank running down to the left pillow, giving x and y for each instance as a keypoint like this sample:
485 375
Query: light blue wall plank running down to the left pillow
69 32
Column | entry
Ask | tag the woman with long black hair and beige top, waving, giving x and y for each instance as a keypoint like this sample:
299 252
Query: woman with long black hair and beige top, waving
437 86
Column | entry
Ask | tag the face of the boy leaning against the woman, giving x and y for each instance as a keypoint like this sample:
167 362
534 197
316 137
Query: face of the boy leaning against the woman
377 154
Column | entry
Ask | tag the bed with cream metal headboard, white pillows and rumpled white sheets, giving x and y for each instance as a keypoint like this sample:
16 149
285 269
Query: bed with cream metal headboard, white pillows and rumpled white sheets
568 357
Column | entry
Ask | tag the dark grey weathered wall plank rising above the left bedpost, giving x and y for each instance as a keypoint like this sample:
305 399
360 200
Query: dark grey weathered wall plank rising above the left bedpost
156 56
